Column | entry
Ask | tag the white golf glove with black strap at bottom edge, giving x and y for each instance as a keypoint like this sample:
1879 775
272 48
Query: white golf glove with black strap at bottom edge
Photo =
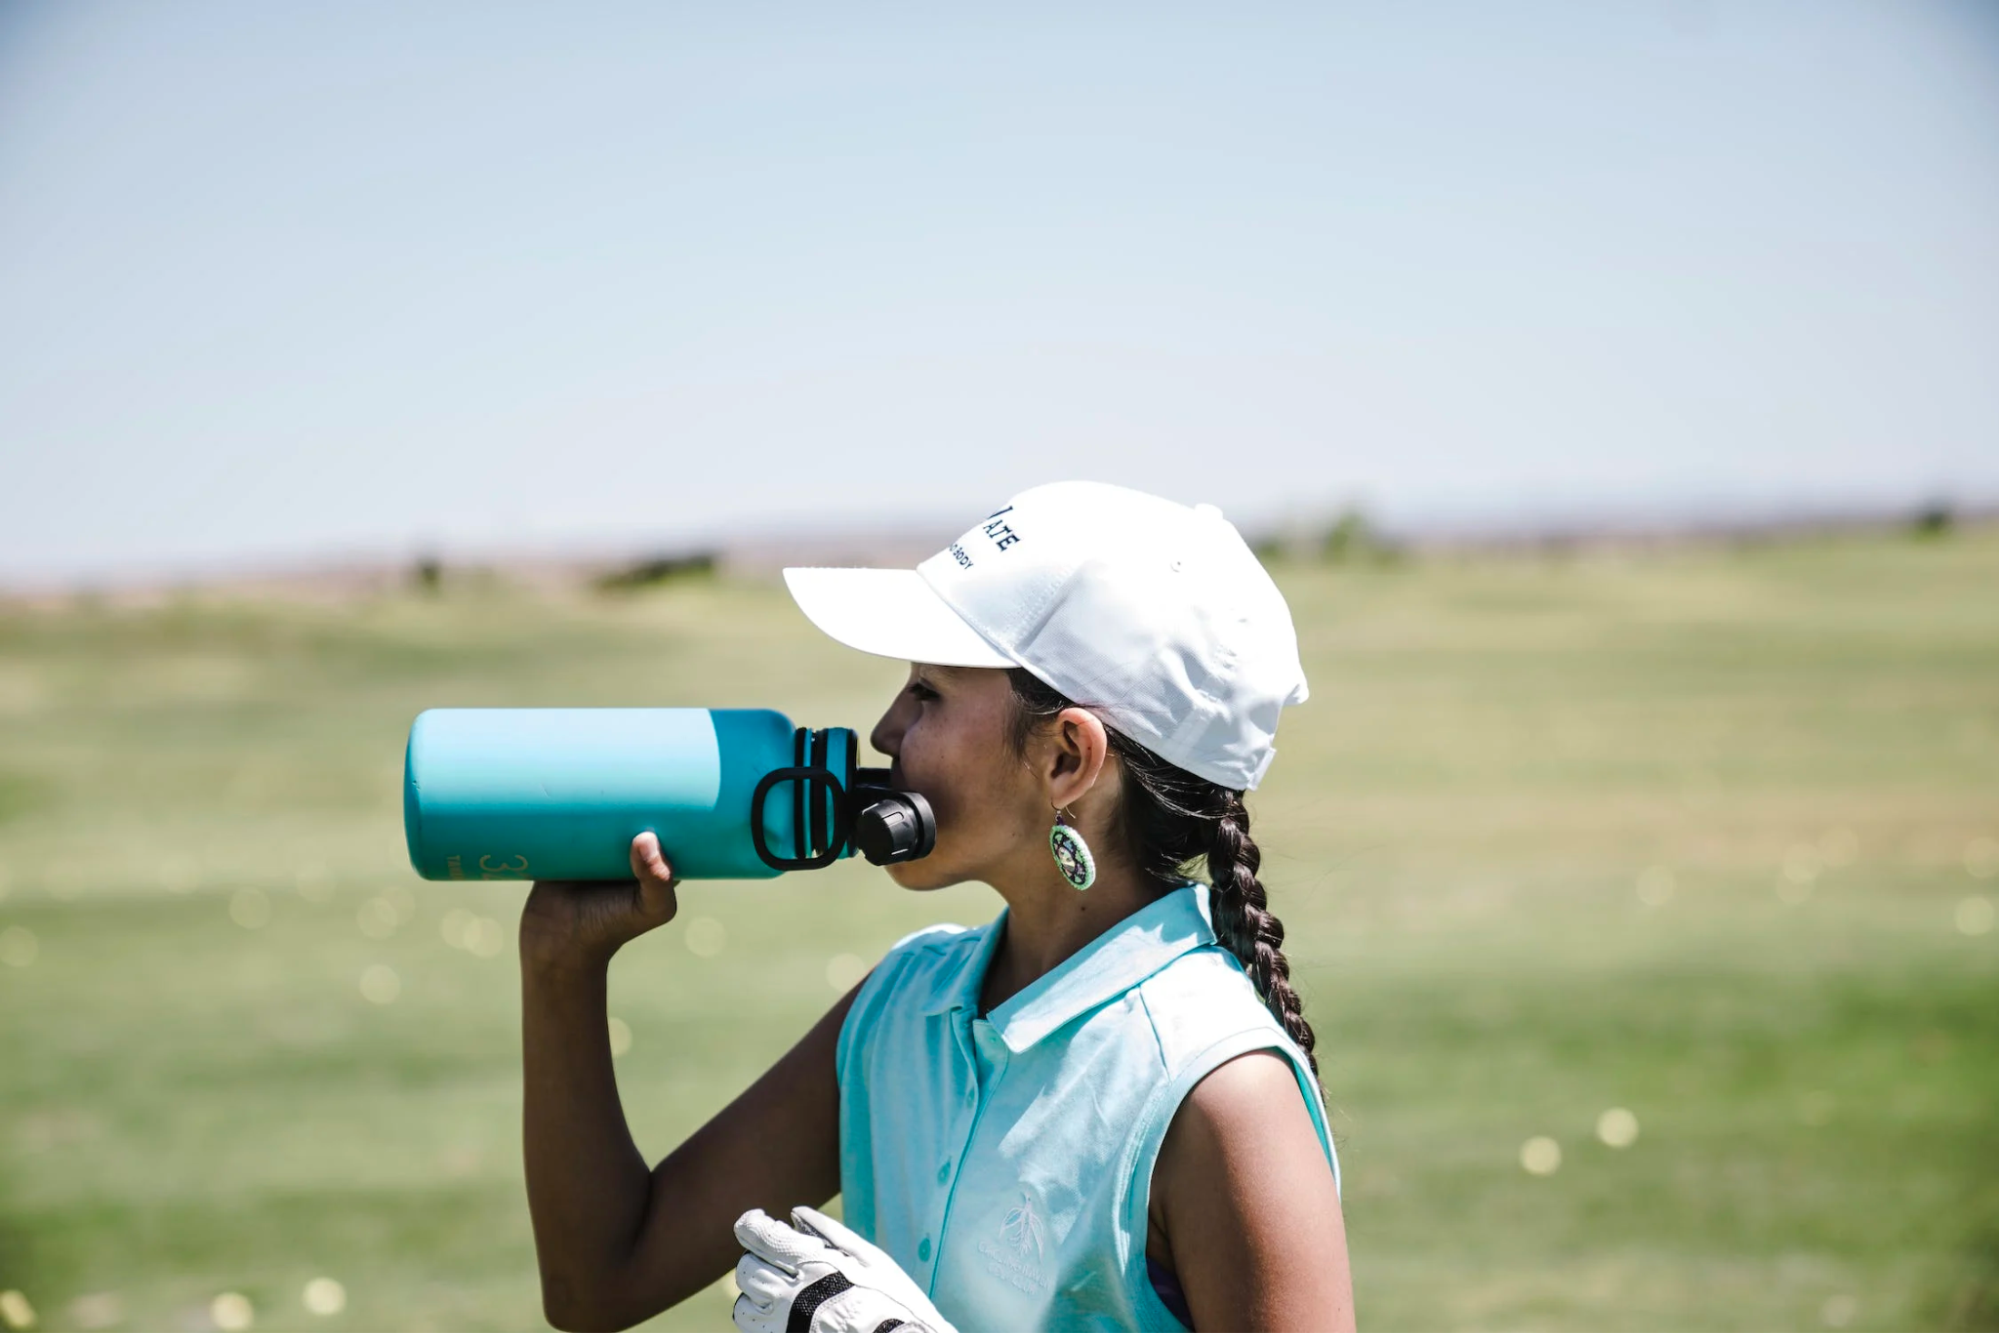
821 1275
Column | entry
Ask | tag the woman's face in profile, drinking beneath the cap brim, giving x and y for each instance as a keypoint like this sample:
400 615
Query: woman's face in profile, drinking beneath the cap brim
949 737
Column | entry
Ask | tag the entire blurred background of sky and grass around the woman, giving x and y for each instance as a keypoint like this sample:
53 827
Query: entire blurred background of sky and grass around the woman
1610 389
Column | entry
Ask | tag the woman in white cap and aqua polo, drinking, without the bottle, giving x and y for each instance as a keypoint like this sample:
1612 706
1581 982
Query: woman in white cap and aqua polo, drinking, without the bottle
1098 1111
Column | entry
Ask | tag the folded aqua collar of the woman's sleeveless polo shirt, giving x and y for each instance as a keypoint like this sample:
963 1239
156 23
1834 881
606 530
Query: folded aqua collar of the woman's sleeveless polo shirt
1102 971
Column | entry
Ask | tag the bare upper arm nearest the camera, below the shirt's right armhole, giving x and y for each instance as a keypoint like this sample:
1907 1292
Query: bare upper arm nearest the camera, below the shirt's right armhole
1244 1207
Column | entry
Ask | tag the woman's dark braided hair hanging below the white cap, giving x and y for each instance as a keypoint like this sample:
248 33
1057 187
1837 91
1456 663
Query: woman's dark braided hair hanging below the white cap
1172 819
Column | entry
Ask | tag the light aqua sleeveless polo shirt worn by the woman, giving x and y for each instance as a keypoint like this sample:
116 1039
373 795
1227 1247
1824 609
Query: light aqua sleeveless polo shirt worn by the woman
1006 1161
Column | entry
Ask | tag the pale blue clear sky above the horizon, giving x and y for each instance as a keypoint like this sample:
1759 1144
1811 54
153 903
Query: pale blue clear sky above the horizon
301 281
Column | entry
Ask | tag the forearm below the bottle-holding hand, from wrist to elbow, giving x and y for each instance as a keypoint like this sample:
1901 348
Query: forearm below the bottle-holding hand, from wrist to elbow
587 1181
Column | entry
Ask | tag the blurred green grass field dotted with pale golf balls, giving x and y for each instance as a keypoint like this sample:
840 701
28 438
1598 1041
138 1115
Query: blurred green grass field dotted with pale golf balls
1702 835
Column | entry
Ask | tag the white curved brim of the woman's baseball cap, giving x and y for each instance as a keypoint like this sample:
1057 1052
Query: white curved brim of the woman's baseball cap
891 613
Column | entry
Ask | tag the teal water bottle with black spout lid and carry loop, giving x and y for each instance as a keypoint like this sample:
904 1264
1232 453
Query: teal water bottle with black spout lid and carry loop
561 795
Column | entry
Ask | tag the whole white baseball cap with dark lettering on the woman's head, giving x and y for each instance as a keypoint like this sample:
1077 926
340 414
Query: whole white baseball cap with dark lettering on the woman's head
1154 615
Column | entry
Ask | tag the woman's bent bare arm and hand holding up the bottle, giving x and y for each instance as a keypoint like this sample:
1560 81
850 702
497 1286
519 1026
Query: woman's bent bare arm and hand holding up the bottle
615 1241
